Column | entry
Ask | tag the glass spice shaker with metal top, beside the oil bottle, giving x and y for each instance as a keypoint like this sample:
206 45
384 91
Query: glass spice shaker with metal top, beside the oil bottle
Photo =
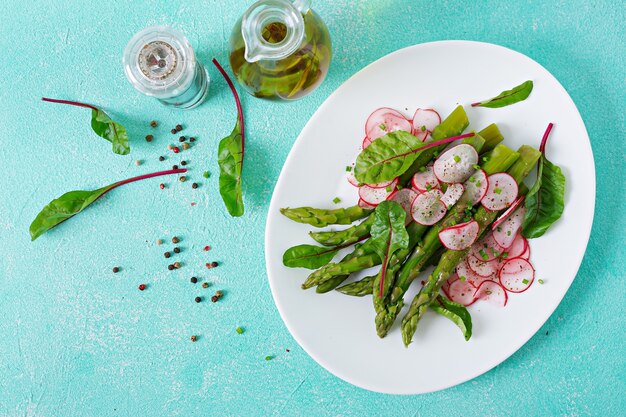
160 62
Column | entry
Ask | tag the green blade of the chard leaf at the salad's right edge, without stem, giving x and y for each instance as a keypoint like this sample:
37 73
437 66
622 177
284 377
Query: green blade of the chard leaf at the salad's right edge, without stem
545 200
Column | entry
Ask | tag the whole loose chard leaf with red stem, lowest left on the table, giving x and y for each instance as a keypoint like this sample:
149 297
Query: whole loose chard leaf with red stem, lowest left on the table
73 202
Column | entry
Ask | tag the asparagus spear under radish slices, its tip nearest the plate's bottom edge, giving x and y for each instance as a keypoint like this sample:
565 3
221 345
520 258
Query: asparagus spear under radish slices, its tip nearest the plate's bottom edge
450 259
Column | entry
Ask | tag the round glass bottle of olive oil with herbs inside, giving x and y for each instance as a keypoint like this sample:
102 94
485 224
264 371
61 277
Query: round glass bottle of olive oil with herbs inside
280 49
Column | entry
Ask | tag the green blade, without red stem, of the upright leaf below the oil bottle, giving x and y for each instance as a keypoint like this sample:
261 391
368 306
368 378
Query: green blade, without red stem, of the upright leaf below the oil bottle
230 160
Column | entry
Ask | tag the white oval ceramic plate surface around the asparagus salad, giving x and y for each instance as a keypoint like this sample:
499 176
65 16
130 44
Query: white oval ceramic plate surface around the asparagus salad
338 330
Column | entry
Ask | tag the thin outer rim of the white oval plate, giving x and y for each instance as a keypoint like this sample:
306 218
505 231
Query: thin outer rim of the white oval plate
524 340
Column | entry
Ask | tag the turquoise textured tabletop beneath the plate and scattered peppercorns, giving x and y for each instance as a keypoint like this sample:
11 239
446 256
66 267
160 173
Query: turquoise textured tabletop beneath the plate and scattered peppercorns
78 340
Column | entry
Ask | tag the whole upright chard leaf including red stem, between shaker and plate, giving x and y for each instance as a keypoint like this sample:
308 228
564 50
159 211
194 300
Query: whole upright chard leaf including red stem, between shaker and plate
230 157
